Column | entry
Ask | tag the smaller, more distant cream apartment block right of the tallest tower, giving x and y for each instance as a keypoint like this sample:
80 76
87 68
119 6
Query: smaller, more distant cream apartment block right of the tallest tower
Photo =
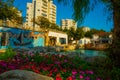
68 23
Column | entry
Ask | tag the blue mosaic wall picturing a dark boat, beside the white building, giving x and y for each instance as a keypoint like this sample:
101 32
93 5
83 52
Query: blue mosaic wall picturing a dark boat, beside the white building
20 38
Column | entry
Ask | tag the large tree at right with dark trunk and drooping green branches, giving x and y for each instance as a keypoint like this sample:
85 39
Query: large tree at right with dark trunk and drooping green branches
82 7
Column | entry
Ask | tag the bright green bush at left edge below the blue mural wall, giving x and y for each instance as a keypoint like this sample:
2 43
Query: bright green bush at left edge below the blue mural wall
8 54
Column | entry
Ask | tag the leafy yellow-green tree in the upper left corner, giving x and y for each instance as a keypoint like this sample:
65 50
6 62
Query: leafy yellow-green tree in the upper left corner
9 12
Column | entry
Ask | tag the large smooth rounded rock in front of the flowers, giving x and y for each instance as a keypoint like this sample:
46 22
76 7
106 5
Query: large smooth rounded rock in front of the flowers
23 75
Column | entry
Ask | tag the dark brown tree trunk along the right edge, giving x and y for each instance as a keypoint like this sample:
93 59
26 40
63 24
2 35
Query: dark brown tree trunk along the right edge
116 34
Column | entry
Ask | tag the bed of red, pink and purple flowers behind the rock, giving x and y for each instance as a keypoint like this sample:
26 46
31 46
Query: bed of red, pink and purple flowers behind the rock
57 66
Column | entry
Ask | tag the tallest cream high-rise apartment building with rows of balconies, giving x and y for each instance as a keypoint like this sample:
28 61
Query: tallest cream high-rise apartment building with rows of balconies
44 8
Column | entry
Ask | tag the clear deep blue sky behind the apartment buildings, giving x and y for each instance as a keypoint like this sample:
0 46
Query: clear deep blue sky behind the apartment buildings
94 19
